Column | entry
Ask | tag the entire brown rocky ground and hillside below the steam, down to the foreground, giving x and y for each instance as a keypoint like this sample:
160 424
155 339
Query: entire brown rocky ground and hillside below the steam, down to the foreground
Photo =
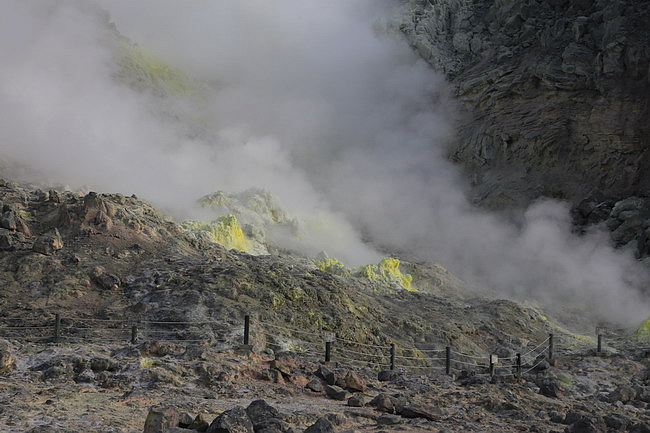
105 262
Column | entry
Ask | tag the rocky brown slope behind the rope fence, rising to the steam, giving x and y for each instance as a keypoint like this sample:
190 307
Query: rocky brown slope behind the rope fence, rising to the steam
108 256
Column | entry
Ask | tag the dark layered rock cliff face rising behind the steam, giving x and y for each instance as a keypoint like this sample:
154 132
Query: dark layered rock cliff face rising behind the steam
555 92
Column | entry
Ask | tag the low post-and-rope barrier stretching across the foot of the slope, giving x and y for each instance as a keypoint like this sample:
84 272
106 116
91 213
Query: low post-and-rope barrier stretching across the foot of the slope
90 330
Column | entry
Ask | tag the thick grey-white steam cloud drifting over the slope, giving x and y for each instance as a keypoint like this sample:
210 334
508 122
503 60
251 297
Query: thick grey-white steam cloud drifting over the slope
315 101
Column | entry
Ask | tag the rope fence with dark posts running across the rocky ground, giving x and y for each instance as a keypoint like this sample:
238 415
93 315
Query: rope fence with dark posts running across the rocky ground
324 346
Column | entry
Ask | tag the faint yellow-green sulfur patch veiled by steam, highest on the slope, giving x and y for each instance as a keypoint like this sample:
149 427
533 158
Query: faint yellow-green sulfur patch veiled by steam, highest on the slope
145 69
